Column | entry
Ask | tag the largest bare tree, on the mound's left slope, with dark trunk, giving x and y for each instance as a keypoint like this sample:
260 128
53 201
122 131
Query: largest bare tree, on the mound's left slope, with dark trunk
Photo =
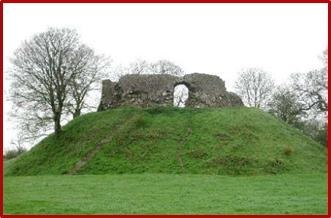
43 70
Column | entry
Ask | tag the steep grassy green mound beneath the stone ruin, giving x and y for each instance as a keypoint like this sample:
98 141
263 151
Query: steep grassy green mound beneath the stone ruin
229 141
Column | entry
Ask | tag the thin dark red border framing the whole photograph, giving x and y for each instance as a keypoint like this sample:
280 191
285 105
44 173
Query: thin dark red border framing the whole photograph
150 1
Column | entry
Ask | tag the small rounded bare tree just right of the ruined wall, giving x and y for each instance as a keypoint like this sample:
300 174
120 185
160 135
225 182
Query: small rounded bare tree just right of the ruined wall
255 87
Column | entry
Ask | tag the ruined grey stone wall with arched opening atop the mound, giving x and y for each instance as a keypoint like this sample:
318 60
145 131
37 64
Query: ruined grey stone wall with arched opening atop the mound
145 90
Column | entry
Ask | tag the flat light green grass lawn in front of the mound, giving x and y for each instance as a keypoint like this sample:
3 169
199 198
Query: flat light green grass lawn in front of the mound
166 194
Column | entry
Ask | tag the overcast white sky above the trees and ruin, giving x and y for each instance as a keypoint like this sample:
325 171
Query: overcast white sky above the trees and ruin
217 39
